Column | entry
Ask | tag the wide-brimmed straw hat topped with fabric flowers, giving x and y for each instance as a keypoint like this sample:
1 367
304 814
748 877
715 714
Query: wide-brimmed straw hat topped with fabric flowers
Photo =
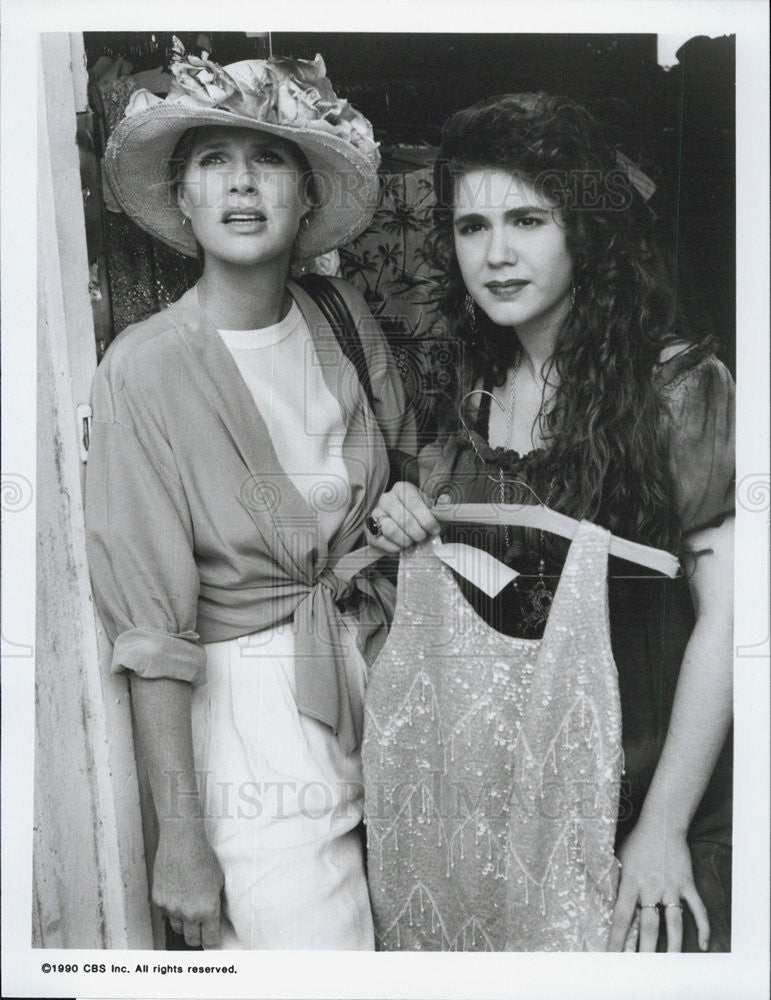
291 98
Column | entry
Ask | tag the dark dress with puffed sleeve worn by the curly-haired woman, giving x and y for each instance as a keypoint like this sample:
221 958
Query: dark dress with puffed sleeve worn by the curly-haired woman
651 617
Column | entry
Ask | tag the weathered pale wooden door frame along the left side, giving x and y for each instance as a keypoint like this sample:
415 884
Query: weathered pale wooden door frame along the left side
90 883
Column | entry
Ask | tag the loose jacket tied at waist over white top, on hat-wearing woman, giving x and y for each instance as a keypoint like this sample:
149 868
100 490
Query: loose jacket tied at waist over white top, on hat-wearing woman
196 534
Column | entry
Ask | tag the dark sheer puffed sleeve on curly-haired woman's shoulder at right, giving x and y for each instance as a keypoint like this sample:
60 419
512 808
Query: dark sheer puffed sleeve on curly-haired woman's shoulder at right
702 446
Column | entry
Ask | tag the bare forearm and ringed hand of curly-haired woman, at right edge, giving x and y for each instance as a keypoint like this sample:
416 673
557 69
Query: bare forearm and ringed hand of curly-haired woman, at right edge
655 856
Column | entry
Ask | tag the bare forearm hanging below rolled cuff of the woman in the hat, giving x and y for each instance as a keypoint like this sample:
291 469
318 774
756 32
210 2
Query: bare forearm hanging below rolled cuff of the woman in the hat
187 878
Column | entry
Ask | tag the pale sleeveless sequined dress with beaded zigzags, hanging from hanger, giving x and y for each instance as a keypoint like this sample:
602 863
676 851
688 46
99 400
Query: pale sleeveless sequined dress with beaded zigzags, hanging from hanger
492 767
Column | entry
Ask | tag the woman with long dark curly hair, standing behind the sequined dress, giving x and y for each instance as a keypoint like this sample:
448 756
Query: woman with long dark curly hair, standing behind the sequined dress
579 390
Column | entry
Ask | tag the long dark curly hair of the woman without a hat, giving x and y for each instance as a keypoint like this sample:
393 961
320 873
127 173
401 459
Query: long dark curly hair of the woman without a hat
605 452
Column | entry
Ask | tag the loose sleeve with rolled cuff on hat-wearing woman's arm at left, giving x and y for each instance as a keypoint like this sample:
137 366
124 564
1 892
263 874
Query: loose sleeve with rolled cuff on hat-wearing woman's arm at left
139 541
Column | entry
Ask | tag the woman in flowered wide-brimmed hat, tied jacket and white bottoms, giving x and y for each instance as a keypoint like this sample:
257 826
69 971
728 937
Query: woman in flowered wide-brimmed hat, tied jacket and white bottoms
234 458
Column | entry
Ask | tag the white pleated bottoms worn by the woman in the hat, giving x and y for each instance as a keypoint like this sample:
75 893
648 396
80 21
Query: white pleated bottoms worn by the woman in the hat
282 801
